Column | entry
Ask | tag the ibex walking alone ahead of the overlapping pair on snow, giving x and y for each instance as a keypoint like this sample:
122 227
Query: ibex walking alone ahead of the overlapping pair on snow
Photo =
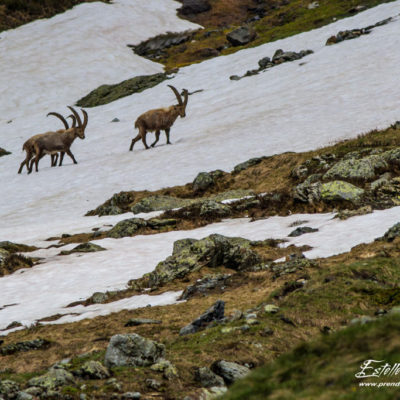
160 119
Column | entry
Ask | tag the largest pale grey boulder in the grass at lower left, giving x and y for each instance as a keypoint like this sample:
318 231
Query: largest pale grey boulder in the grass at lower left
132 350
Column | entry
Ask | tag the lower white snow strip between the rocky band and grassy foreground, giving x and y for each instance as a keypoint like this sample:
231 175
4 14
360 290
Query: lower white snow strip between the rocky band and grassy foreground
47 289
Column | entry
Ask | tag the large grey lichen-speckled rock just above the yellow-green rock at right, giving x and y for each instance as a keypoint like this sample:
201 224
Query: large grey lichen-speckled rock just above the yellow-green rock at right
364 169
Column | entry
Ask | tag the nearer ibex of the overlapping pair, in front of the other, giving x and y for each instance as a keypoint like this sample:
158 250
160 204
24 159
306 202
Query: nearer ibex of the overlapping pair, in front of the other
60 141
